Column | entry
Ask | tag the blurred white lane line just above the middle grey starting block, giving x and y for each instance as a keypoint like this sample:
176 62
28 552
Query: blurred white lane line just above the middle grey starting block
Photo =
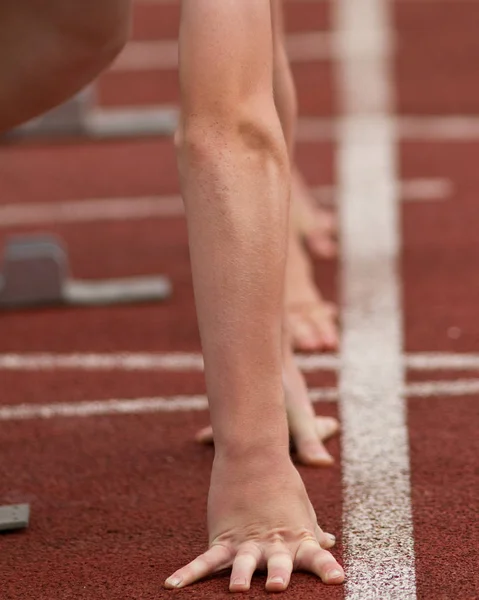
146 207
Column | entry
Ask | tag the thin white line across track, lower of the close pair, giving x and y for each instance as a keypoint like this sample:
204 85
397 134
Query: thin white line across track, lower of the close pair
133 406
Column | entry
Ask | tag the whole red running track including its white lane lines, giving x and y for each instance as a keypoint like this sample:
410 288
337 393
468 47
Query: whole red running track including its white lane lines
118 499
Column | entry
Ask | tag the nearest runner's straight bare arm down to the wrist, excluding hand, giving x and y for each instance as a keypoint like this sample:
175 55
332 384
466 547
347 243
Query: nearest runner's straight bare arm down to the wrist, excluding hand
234 173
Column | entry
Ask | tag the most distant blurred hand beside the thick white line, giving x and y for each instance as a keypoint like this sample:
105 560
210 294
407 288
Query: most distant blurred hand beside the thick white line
315 224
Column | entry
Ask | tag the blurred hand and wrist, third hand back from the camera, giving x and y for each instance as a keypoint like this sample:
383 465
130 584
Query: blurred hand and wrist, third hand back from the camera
312 322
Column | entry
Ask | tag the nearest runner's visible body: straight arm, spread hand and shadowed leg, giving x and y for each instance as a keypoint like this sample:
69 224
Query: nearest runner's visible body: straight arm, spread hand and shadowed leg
235 179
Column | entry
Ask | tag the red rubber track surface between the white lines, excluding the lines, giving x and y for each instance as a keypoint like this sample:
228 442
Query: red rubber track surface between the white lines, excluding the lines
118 502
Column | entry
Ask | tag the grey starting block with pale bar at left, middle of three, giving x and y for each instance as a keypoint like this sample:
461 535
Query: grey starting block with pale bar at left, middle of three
36 273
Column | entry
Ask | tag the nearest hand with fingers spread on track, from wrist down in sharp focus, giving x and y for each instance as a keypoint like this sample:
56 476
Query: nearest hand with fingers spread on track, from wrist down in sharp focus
260 518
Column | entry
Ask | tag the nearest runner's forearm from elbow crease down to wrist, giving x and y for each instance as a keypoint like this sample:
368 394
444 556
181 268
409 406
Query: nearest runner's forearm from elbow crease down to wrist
236 203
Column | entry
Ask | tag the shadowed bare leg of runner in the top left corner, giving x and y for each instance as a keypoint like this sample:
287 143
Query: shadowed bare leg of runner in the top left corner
50 50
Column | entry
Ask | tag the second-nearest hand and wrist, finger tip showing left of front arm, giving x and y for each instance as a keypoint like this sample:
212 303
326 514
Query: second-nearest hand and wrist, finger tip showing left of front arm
308 432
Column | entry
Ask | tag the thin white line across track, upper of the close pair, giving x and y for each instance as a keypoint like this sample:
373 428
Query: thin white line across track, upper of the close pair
192 361
